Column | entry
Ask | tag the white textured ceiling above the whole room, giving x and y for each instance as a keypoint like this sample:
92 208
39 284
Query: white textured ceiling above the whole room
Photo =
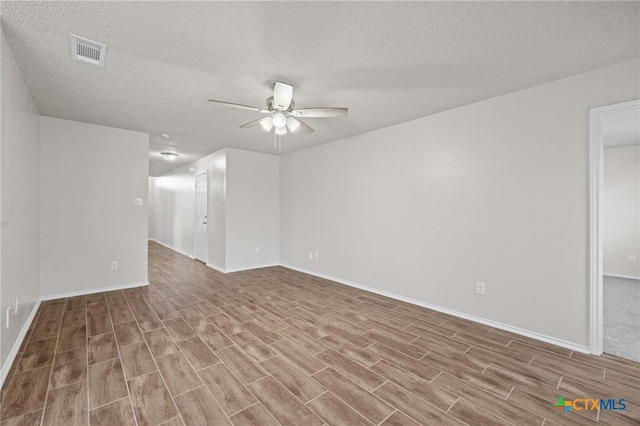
389 62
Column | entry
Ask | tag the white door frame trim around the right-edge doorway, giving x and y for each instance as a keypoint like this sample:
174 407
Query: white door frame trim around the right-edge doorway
596 253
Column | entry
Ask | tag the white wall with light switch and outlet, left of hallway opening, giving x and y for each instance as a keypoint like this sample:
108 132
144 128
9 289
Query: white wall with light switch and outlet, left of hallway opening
89 178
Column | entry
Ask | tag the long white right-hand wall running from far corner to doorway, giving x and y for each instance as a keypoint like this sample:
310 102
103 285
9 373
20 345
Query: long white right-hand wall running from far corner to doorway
495 191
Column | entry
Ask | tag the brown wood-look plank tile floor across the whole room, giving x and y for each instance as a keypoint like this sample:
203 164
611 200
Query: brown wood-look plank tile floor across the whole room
275 346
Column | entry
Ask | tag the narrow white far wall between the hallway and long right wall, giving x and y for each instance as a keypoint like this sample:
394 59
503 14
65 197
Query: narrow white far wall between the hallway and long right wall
253 205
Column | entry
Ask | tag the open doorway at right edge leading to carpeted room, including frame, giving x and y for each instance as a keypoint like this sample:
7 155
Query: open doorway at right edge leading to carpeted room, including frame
615 229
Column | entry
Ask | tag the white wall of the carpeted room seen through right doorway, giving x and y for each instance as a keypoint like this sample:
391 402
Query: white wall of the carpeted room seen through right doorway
621 210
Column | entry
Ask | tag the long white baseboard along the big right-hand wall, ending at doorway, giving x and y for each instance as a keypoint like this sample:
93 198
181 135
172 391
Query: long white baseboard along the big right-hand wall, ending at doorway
490 323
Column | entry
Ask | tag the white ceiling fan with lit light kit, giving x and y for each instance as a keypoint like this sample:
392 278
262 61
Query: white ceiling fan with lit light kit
282 118
